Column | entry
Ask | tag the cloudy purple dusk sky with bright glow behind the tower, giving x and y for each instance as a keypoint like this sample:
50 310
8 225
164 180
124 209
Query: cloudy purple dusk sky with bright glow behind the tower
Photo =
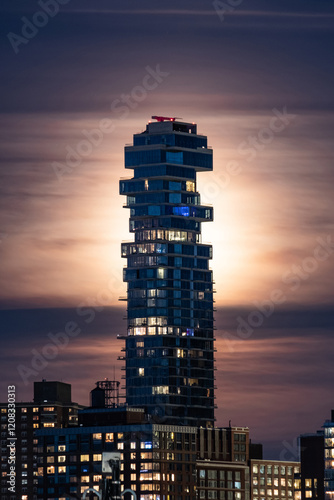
258 80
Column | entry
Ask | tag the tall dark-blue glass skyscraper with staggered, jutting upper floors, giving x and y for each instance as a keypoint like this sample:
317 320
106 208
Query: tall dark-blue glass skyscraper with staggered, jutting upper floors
169 351
